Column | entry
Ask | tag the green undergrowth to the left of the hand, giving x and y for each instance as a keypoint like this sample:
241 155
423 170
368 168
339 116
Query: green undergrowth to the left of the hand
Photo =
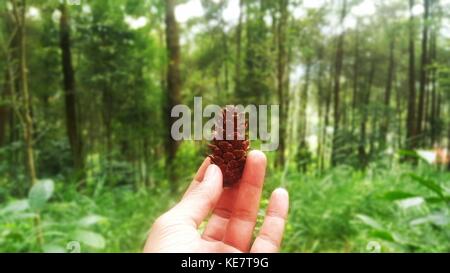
115 221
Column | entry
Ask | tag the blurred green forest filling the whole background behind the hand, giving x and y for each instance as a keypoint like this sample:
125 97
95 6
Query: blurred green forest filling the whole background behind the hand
87 162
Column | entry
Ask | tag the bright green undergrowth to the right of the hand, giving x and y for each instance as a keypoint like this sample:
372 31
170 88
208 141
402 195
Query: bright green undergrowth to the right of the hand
347 211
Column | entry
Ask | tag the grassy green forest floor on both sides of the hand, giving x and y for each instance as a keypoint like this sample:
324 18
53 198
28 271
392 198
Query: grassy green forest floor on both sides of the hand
388 209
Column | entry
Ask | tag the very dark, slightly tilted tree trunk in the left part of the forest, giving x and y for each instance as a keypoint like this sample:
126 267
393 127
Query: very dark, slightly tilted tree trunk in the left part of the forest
73 133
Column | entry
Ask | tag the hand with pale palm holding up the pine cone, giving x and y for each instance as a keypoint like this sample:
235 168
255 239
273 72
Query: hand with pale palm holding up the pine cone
231 224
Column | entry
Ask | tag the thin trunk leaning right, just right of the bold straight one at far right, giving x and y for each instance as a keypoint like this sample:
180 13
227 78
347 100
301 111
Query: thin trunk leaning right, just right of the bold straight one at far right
423 75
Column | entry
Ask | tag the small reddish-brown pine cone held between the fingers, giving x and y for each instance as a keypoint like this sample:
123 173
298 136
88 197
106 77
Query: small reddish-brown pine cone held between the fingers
230 151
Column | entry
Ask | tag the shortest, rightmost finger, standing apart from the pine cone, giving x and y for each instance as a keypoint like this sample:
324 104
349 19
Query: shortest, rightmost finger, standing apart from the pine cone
269 238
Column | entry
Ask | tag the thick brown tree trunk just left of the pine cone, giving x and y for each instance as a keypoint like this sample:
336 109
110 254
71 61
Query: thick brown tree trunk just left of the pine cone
173 85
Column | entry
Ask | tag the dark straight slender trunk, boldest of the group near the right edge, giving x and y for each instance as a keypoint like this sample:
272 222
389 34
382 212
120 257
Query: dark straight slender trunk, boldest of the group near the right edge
411 119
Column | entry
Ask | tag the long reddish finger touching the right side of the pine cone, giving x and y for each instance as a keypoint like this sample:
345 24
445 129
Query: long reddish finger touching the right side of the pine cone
243 217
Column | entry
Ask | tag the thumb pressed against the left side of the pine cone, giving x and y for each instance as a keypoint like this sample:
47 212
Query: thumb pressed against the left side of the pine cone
202 197
